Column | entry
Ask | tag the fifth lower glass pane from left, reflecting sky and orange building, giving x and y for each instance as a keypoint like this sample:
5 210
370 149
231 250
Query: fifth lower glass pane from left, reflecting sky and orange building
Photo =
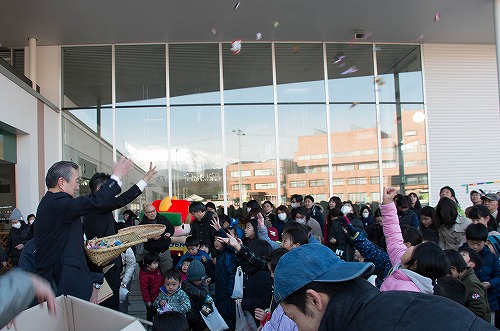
303 149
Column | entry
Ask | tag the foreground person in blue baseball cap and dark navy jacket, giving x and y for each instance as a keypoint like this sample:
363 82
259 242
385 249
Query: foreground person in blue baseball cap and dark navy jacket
319 291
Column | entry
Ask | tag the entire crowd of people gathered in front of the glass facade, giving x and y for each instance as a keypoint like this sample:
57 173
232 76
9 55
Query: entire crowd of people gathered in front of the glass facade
299 267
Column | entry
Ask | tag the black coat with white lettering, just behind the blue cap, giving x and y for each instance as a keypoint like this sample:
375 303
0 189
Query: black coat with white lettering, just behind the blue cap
344 247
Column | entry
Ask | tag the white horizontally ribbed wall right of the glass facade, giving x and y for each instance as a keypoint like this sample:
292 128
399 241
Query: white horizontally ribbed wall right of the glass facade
463 117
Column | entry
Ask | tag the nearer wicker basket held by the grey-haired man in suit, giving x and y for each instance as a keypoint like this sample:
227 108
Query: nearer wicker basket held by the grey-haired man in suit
103 256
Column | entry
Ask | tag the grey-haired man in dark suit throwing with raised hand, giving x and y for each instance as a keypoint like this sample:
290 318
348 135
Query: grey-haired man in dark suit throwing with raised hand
60 256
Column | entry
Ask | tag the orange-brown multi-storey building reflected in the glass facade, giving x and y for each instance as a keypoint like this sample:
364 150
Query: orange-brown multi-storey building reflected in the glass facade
355 164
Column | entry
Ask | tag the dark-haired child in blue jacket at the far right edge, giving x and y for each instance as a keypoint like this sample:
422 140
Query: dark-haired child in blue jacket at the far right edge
489 273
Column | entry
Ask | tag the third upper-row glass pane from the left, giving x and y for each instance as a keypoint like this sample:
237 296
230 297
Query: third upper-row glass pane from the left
194 74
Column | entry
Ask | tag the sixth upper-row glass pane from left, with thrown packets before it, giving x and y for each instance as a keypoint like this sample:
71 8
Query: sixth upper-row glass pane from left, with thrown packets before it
350 73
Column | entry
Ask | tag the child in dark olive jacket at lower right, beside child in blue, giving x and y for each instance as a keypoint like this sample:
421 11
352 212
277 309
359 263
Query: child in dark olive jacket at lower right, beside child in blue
476 299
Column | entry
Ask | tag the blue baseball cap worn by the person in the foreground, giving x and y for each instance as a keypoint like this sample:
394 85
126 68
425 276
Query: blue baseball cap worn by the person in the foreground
313 263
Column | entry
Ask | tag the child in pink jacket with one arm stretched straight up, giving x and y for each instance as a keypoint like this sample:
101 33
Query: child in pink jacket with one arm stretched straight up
415 267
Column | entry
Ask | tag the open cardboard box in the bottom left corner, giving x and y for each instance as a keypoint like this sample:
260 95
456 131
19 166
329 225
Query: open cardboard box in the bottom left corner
74 314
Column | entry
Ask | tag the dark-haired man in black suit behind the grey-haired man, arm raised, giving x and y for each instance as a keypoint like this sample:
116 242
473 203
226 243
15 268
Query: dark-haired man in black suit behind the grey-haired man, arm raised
101 223
